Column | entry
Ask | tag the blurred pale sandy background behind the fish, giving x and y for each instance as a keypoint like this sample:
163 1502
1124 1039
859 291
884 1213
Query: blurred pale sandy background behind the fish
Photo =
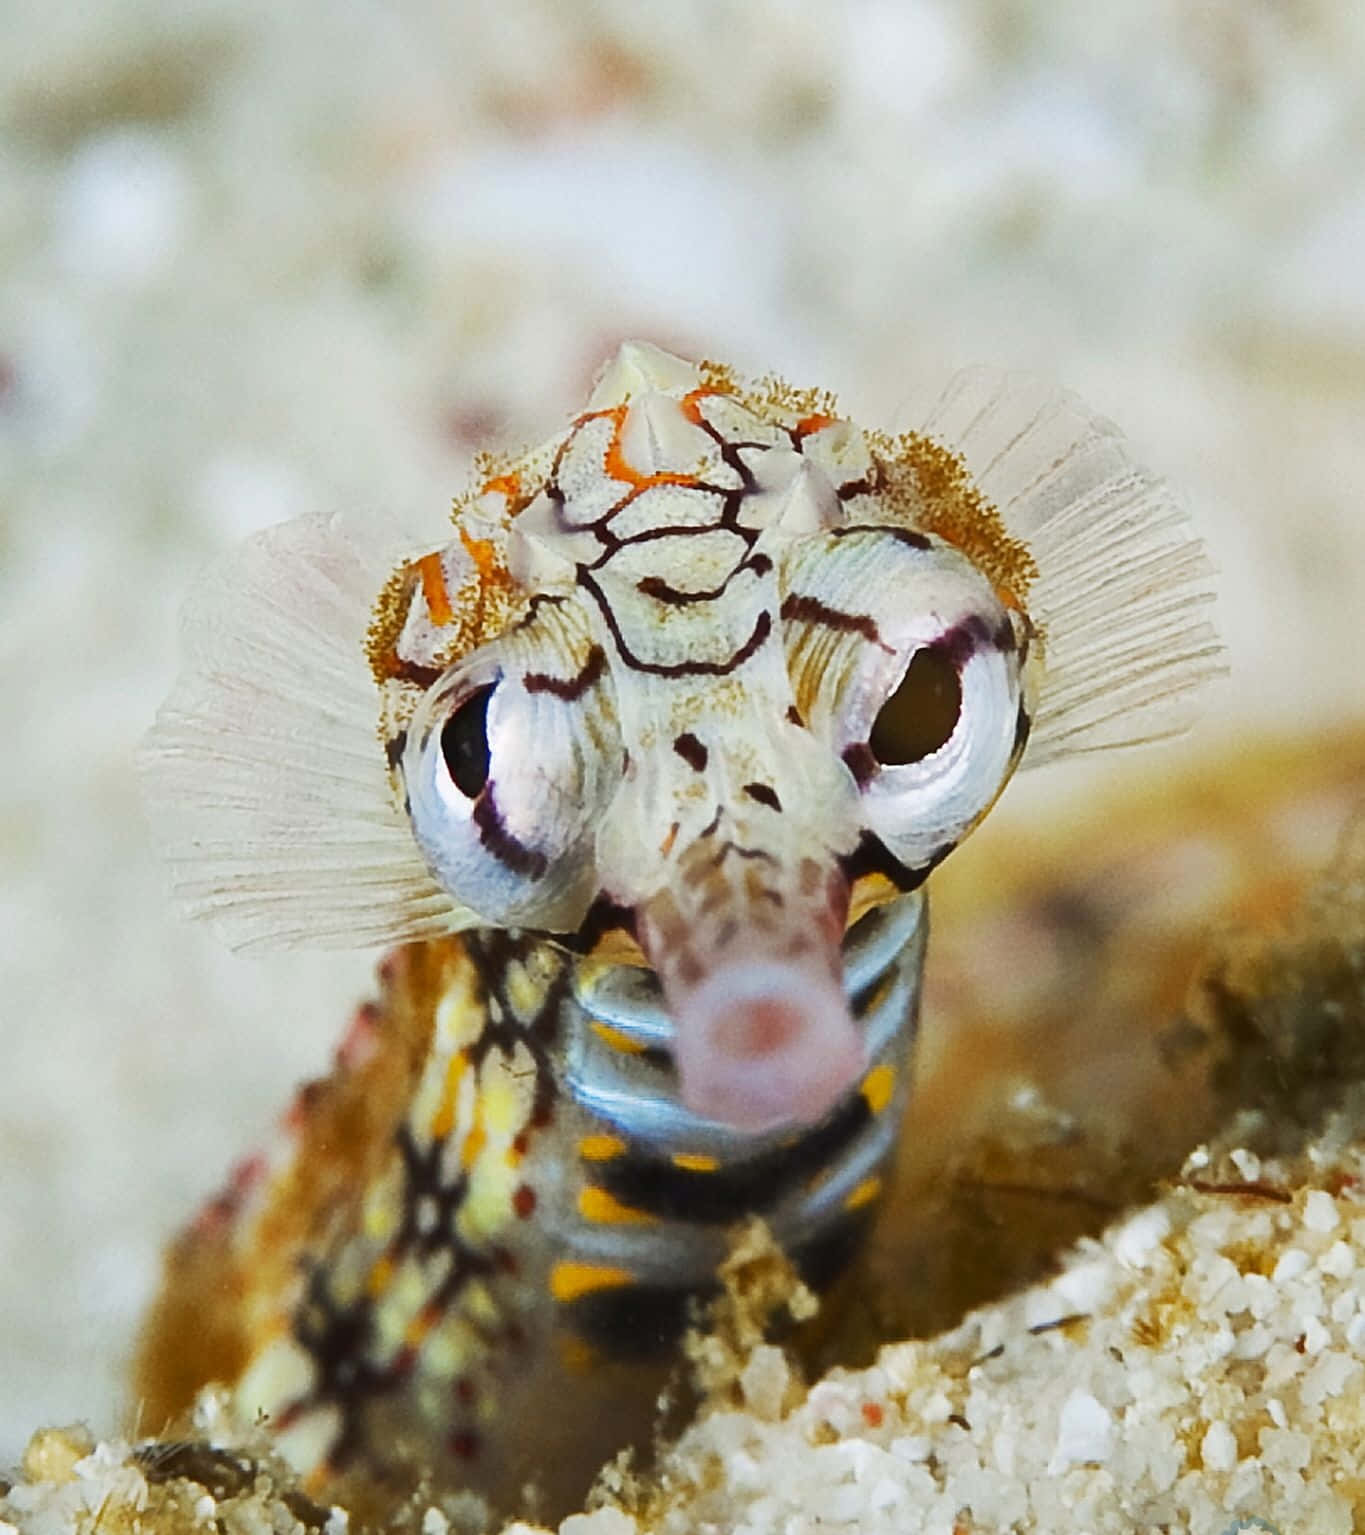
260 260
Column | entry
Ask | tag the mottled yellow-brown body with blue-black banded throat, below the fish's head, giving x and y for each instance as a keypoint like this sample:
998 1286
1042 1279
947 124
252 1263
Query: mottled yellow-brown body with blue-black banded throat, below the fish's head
538 1212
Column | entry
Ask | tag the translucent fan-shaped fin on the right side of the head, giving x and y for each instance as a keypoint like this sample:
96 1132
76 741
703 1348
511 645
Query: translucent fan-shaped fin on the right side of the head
1123 584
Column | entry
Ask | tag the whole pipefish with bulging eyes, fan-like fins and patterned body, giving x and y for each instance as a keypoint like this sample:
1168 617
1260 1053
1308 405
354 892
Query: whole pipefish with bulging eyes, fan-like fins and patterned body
646 770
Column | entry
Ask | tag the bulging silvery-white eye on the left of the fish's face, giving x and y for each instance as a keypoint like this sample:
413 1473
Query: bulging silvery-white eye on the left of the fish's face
507 773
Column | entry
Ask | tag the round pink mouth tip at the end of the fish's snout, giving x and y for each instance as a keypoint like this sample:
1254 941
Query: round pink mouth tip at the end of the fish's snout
765 1043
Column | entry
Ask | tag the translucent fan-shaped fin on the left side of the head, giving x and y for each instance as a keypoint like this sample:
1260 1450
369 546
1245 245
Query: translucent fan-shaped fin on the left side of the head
265 777
